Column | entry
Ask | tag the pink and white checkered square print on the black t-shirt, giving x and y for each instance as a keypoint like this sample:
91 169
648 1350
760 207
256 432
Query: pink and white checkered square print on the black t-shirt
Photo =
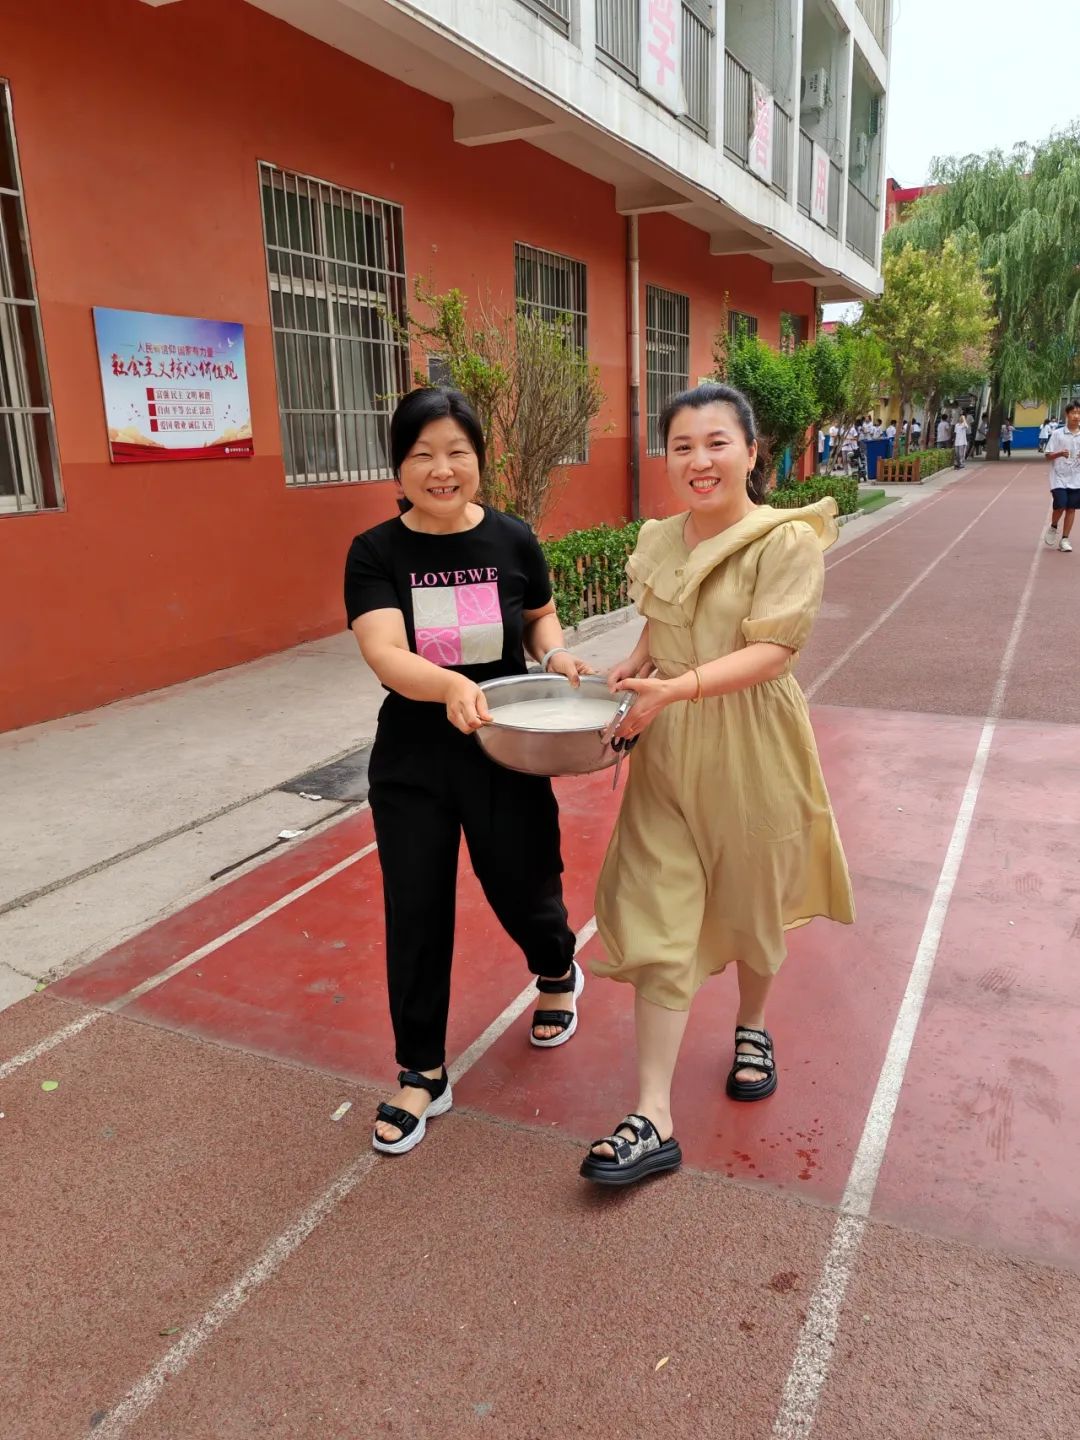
457 617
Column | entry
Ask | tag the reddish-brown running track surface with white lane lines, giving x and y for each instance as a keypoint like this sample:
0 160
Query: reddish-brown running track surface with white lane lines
888 1249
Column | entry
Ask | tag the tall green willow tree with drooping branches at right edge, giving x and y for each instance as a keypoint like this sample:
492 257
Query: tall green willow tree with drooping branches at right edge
1020 214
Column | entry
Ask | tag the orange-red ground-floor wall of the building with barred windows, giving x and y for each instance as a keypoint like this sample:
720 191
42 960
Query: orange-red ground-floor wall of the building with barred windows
140 133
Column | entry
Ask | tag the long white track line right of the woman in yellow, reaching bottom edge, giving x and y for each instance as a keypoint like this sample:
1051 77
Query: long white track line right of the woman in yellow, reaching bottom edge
814 1351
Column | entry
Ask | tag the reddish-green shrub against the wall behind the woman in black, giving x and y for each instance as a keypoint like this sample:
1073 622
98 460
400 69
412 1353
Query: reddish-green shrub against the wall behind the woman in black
536 395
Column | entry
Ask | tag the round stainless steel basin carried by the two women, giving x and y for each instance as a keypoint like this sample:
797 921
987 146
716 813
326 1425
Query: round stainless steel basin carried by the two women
546 752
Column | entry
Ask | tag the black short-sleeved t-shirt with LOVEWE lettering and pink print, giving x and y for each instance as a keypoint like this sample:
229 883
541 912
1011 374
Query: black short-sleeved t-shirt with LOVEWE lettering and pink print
463 595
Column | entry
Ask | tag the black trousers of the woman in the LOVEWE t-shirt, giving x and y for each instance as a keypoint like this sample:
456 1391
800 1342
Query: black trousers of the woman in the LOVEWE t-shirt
427 787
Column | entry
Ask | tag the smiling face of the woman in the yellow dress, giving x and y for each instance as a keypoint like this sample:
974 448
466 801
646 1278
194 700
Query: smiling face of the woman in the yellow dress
709 459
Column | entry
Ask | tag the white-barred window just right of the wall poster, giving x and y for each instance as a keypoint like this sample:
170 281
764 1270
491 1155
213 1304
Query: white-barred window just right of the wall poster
326 284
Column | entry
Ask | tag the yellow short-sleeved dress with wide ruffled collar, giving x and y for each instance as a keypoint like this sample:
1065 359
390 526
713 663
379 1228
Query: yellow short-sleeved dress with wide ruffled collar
726 836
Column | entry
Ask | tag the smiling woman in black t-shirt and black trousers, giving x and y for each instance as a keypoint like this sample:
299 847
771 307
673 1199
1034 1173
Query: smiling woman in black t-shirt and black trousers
441 598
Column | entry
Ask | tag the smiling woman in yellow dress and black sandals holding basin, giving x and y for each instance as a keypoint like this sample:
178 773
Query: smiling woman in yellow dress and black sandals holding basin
726 839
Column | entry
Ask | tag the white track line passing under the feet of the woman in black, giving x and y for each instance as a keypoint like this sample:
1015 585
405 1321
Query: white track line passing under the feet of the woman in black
178 1357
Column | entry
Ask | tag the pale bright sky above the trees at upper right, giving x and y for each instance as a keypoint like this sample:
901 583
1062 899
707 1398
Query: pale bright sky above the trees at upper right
976 77
